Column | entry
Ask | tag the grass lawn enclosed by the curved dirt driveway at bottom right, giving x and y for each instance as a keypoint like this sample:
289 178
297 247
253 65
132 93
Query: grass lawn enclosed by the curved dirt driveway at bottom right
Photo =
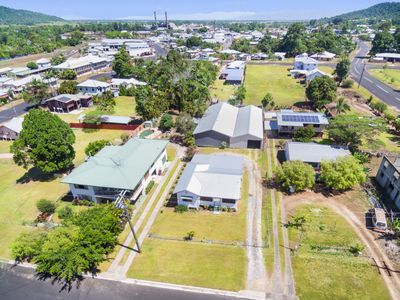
332 273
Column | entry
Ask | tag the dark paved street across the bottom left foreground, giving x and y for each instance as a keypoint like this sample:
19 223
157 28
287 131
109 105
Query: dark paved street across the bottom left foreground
21 283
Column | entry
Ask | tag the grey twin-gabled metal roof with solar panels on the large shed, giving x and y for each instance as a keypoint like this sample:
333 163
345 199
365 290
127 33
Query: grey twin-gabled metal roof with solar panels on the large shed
232 121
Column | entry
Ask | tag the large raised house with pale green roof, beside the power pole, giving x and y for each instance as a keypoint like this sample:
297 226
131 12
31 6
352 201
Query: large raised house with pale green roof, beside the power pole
115 168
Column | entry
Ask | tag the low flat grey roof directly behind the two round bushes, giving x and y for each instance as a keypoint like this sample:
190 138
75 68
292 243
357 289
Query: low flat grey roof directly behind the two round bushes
314 153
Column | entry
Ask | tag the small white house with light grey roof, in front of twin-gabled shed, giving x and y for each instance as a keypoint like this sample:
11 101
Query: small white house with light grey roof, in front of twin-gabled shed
211 180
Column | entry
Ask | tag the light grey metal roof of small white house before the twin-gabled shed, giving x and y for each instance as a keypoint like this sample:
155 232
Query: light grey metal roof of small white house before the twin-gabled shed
216 176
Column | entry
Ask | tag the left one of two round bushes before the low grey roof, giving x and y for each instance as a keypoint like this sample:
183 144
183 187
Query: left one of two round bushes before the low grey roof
296 175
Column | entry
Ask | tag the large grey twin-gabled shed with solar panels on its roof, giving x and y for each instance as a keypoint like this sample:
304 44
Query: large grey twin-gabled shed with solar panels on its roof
237 127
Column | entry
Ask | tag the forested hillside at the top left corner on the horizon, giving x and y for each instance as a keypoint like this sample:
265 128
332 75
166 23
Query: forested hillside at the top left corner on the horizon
24 17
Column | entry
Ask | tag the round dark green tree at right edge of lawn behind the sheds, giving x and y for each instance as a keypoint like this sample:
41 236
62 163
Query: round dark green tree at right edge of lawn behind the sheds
321 91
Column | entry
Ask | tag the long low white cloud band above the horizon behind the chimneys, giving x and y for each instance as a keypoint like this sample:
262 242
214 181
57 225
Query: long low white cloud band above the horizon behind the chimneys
216 15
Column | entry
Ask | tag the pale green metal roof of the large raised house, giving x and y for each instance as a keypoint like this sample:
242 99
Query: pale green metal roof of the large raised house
119 167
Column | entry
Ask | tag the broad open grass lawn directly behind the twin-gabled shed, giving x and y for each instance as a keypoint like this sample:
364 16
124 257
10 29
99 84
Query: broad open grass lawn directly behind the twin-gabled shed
261 79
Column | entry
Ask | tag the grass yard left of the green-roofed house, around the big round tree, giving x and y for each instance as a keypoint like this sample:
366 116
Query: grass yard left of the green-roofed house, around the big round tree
18 200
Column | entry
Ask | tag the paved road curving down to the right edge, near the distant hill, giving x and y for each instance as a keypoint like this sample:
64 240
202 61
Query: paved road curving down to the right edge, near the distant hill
382 91
